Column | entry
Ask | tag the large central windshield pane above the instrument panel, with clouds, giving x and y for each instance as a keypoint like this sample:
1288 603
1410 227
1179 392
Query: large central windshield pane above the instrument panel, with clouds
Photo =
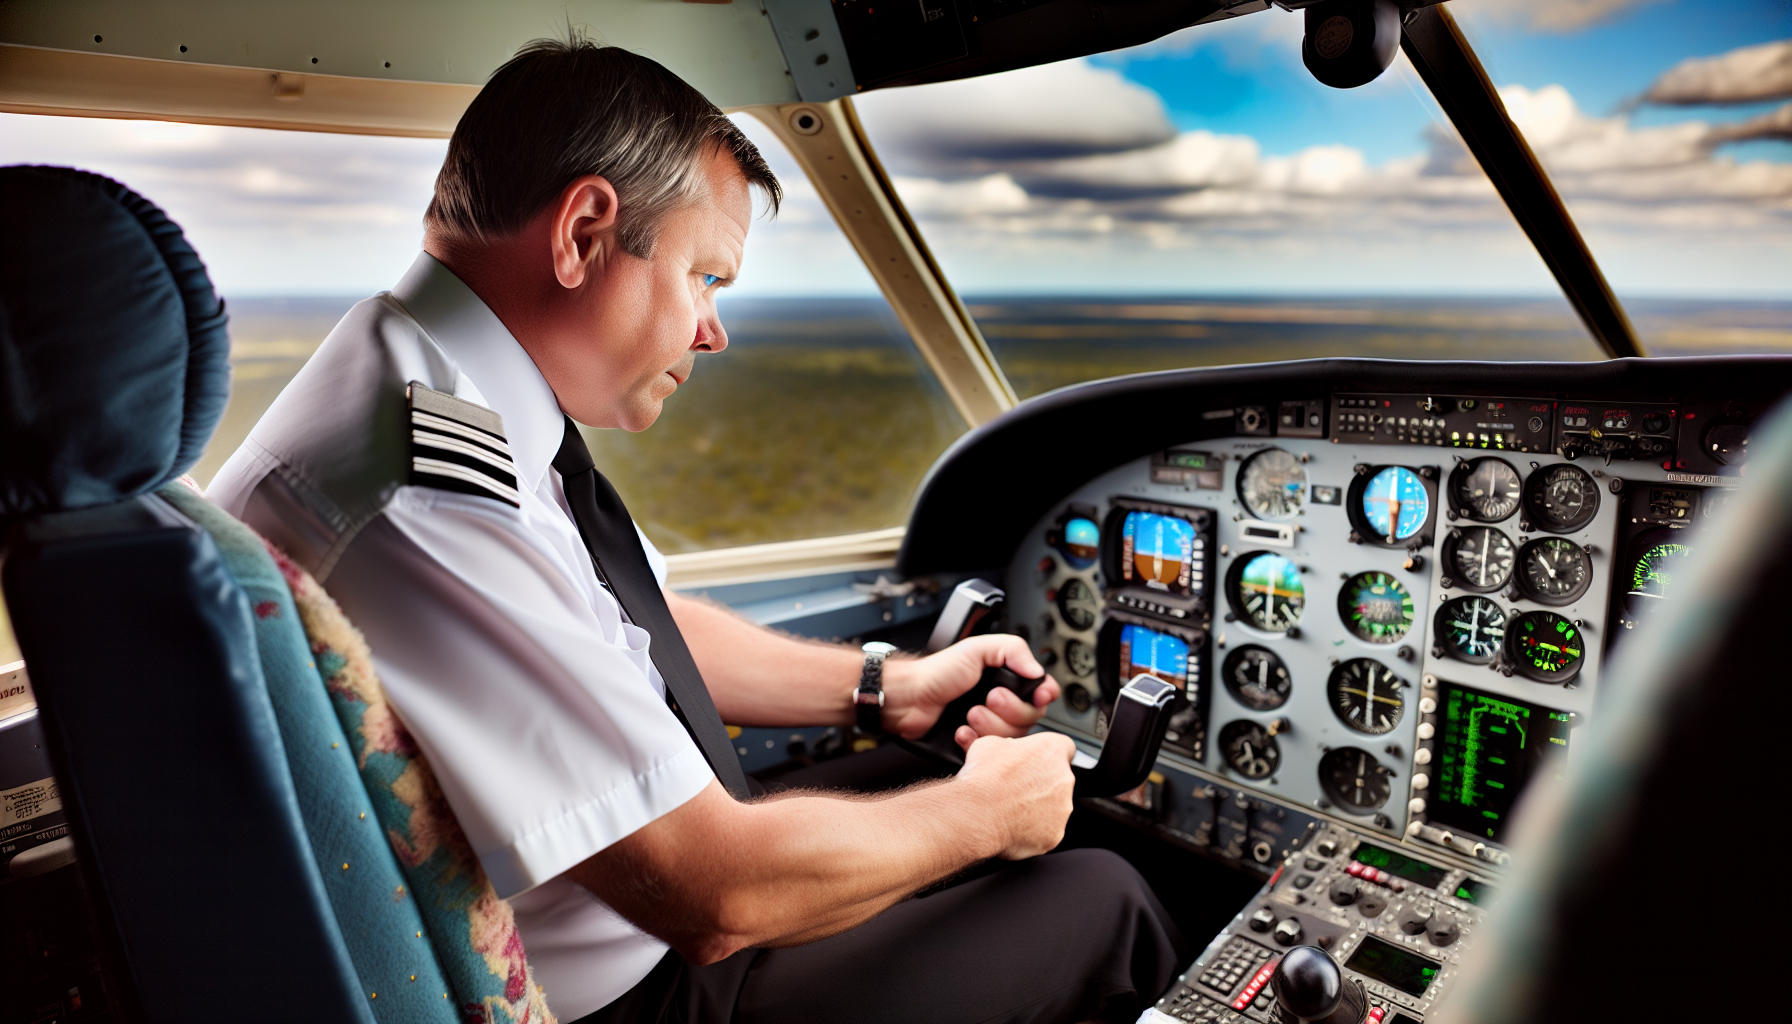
1203 200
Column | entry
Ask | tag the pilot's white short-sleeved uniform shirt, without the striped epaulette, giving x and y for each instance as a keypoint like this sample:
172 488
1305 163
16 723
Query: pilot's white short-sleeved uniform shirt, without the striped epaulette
512 664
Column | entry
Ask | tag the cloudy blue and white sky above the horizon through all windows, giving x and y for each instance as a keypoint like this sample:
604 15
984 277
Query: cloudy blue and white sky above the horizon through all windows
1207 162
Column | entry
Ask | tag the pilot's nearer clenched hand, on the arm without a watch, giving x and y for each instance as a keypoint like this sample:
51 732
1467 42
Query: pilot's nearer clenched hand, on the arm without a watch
1033 785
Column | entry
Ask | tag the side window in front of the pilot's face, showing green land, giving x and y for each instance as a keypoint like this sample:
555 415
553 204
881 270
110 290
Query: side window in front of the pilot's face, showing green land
820 419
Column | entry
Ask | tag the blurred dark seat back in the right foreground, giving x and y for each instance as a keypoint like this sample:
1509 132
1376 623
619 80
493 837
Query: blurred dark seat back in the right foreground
1626 903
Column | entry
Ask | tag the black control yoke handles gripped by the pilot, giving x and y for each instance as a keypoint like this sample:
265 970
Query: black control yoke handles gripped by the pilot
1135 731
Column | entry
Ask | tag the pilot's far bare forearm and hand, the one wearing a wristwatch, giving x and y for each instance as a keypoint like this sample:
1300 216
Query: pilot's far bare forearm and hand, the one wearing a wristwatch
764 679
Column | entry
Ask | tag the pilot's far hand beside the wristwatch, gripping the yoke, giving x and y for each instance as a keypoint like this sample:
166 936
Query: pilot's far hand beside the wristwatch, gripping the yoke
918 690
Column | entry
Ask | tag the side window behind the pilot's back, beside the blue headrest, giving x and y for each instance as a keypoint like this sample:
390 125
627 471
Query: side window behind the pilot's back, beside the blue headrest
295 227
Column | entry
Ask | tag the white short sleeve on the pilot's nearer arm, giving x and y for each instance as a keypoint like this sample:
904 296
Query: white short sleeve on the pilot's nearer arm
531 697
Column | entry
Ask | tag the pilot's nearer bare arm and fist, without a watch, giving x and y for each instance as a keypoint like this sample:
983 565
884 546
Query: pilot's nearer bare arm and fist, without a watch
716 876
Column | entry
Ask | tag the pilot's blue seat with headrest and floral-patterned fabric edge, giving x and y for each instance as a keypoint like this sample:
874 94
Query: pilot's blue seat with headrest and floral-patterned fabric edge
239 865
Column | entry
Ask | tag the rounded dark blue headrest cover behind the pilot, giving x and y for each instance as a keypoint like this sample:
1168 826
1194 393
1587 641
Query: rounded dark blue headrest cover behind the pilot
114 347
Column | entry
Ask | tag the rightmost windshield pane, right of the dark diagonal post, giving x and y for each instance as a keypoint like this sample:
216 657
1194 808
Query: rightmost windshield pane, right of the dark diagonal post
1667 128
